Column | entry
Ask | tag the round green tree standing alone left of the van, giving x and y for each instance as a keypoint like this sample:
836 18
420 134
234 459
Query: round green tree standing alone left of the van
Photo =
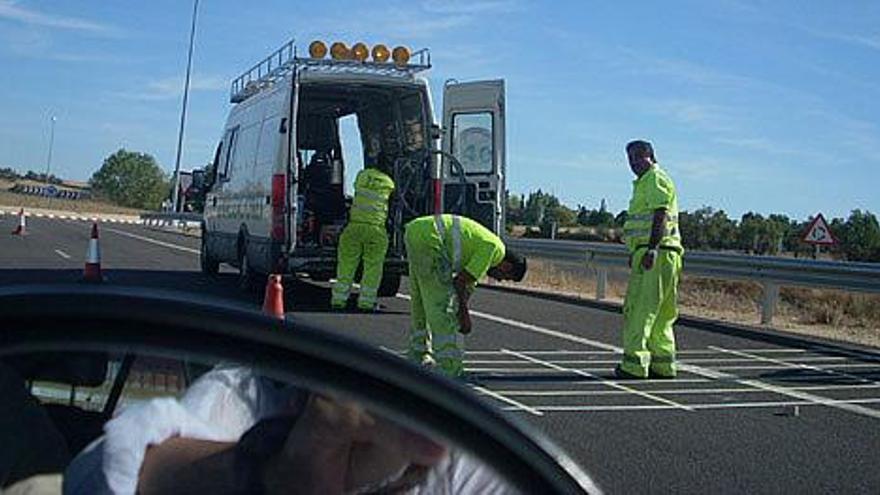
131 179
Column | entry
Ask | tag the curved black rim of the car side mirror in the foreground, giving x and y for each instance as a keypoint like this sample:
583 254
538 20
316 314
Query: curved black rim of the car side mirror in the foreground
75 319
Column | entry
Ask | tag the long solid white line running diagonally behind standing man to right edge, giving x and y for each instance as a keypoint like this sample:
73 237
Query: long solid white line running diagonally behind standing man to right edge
697 370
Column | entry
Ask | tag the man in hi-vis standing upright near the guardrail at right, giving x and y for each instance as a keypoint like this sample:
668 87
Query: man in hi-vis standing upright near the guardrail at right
652 236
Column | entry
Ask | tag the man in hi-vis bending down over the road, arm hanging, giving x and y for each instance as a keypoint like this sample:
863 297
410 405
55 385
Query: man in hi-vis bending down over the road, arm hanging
448 255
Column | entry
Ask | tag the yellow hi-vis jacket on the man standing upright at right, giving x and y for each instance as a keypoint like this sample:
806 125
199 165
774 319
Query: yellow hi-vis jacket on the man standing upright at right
652 191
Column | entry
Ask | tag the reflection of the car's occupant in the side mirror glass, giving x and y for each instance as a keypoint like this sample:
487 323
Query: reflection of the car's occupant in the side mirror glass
198 426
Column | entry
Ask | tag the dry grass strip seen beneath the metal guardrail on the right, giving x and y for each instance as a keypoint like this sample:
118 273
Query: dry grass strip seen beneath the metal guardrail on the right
831 314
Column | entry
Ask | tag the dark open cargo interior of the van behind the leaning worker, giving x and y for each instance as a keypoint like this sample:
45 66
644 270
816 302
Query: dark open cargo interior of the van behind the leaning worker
392 125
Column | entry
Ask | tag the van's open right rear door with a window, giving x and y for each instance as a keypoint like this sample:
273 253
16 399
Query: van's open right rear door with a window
473 123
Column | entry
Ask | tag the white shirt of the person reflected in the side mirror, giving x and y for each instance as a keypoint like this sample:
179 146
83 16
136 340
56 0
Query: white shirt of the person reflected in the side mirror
221 406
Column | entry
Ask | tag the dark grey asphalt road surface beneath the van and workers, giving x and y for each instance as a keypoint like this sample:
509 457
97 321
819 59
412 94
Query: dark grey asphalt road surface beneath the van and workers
753 410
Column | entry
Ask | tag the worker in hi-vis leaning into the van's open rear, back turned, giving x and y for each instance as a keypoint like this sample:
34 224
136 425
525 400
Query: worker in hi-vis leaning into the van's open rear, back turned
364 238
